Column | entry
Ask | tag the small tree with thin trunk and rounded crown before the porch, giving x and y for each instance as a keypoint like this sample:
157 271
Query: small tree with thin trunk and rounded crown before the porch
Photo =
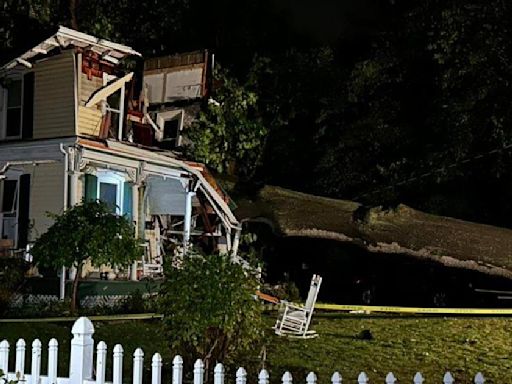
88 231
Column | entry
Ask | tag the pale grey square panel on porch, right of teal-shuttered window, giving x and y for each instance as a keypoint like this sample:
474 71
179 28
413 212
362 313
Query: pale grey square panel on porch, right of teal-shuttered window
165 196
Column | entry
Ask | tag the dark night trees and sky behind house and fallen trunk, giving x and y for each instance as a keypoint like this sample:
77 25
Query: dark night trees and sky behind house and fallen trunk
376 101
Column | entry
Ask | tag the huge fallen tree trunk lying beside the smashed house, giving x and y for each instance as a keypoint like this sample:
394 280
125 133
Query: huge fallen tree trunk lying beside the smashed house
401 230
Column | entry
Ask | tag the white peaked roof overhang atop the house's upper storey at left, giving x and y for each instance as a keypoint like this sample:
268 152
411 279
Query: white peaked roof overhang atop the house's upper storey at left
65 38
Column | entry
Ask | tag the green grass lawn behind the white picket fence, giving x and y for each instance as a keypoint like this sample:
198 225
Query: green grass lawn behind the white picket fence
404 345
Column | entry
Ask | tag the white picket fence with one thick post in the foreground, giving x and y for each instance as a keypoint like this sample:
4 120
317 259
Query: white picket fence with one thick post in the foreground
81 365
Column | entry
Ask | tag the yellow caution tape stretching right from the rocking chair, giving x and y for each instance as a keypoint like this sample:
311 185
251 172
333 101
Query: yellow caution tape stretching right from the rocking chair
440 311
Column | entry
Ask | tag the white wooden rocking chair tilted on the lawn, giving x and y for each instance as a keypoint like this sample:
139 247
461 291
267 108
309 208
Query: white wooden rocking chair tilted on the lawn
295 320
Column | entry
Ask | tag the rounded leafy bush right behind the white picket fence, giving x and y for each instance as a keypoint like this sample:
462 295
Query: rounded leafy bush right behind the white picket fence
209 307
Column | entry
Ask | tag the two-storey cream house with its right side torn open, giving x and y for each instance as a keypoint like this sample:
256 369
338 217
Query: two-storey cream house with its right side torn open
73 126
